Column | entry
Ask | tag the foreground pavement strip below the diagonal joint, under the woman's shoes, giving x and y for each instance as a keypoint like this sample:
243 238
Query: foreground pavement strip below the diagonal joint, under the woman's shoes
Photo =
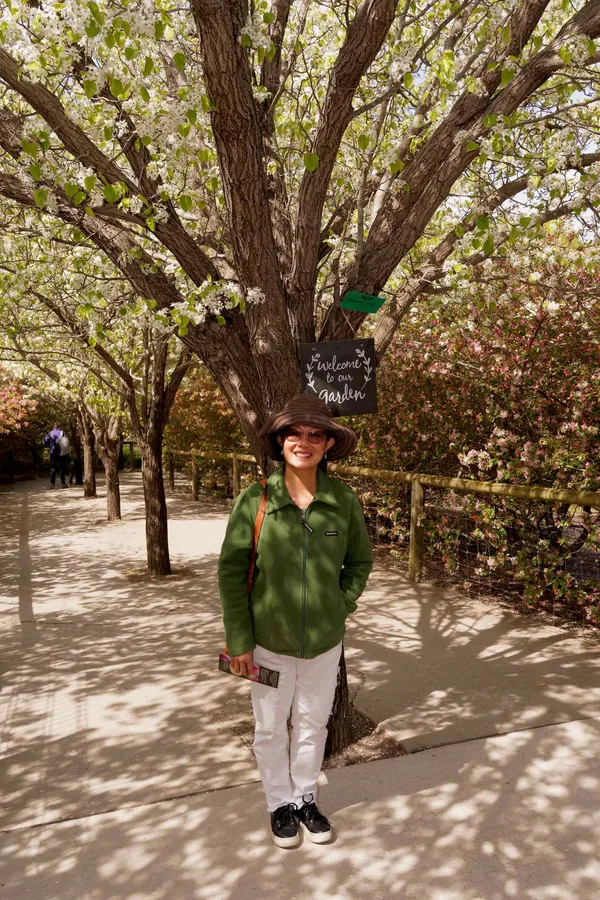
458 823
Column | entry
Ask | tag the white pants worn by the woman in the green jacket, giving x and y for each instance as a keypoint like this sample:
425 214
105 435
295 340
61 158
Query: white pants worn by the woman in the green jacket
289 769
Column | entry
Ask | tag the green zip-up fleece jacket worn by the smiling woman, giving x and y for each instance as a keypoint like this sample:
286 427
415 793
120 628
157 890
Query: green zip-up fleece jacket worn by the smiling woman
310 569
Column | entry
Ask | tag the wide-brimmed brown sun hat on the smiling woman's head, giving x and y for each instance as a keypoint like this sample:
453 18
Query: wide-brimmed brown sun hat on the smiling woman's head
306 410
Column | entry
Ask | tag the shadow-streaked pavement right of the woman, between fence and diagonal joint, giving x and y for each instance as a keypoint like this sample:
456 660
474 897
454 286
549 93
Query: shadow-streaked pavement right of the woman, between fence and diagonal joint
452 668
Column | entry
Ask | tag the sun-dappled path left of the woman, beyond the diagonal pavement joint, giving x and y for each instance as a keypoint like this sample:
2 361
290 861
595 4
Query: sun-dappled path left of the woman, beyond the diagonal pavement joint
118 699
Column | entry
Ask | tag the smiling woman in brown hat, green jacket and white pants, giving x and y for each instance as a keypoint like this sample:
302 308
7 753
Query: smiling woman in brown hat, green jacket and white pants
313 559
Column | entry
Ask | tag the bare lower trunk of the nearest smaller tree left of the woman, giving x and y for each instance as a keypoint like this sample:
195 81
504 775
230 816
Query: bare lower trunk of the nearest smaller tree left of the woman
157 537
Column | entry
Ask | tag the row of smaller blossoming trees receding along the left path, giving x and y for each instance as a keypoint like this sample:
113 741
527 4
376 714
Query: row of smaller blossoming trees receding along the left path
125 377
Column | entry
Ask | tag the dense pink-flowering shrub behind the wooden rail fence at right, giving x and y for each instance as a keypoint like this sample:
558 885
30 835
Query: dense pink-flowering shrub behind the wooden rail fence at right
500 385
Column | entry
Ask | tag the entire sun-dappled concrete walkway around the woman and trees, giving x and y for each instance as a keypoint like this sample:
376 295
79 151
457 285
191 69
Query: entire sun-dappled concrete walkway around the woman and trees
121 776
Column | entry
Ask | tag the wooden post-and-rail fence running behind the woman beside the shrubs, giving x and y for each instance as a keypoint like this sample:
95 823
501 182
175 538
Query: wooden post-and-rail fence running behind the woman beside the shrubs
418 482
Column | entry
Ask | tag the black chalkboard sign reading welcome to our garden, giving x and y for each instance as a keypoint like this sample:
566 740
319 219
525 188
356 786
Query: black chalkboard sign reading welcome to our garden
342 373
